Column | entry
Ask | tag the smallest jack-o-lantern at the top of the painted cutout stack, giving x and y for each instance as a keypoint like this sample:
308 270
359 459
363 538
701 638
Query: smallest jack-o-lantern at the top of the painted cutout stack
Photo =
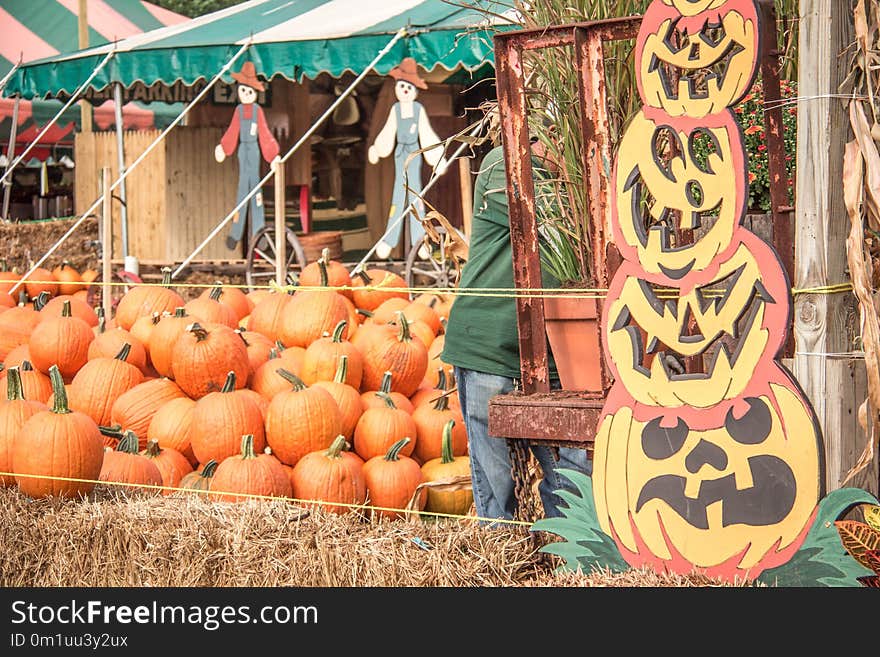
700 65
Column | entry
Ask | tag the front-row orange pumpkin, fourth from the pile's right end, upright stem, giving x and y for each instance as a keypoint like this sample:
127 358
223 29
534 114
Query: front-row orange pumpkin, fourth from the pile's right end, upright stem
250 473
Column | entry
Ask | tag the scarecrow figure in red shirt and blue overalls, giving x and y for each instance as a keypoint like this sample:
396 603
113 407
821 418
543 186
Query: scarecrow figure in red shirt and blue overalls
249 133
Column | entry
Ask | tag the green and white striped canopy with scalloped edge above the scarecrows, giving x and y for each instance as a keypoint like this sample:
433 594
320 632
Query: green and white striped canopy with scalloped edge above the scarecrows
291 38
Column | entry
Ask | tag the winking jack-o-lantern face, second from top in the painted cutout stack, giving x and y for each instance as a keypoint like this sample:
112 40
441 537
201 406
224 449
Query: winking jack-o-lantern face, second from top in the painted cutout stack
655 198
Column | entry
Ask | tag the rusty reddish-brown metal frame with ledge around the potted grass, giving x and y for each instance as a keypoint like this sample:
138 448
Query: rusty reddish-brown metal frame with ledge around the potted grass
564 417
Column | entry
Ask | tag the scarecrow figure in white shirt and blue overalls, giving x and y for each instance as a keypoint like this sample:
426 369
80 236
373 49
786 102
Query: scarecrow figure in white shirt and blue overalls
409 128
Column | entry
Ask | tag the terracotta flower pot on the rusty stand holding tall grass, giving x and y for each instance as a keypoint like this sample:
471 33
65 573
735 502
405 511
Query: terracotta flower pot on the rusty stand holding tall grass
573 332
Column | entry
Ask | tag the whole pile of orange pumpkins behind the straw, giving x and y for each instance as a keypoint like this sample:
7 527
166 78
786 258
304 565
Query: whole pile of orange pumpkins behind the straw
332 392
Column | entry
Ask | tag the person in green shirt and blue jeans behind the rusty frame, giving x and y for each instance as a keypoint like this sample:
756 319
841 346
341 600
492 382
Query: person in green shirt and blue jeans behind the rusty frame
482 345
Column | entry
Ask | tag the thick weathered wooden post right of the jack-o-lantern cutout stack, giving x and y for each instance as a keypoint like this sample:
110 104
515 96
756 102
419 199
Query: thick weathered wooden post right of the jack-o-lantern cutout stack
821 321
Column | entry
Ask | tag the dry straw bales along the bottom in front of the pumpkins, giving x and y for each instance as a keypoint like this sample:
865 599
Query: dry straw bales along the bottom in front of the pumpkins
183 540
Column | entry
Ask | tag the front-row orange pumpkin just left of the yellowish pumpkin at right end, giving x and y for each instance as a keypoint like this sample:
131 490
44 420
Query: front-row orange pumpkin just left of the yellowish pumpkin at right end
392 480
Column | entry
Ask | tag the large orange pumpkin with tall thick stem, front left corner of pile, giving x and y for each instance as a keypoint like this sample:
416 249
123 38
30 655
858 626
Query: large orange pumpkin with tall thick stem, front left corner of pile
57 442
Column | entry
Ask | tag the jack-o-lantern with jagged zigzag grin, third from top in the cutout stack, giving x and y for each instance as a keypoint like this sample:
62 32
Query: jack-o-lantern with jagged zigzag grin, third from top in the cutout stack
702 345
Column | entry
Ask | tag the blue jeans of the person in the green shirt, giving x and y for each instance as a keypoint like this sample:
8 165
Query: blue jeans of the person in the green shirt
491 478
